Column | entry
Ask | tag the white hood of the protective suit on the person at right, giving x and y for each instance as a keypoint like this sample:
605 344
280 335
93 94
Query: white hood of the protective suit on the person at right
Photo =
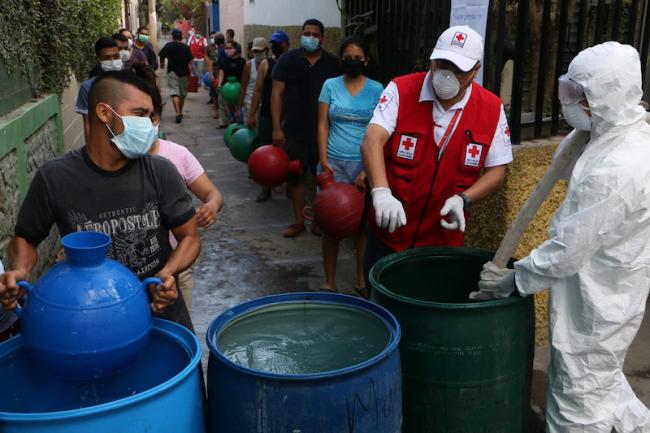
610 74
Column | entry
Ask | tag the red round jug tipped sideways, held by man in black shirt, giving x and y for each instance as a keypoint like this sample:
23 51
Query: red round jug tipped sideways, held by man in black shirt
269 166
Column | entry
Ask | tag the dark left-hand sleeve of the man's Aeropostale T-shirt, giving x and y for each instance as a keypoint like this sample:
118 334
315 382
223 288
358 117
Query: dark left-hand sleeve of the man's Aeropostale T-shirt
36 217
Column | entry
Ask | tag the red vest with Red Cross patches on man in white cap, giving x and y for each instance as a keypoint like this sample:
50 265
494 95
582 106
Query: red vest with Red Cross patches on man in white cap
415 176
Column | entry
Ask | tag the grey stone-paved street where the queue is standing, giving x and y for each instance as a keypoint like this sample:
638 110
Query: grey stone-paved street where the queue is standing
244 255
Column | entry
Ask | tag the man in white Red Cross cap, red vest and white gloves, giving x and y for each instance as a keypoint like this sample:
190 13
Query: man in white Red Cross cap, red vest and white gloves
437 142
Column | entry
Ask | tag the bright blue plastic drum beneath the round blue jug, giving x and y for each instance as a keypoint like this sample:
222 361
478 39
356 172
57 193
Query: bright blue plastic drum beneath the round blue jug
160 392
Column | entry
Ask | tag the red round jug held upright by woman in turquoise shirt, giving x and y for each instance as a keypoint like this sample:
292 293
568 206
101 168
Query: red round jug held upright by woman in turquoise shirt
338 206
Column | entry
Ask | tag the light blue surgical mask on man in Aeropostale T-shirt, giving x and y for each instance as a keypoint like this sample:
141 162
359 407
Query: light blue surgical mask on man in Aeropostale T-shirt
137 137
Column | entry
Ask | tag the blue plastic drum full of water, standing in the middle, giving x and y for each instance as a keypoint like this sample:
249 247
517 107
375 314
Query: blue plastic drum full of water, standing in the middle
305 362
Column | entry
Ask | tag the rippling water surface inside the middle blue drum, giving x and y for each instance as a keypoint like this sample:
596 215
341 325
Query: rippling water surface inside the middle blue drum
303 338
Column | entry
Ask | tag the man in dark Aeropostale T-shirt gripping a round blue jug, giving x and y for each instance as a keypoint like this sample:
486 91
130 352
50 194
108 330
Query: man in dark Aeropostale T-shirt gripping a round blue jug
112 185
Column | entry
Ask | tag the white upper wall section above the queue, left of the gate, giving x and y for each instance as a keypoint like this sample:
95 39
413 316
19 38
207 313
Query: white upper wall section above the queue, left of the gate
291 12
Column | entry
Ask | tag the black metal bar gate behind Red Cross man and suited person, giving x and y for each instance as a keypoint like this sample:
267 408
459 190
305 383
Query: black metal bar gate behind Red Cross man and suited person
539 36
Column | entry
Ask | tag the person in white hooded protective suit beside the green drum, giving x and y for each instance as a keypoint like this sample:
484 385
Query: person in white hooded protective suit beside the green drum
596 261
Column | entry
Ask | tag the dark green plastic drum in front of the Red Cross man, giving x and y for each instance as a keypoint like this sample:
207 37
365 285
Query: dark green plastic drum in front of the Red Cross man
467 366
